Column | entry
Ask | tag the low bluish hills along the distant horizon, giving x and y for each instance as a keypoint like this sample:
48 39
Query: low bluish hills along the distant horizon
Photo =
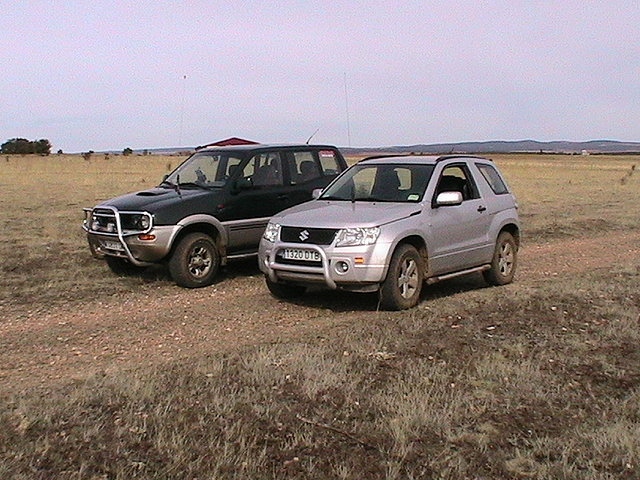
492 146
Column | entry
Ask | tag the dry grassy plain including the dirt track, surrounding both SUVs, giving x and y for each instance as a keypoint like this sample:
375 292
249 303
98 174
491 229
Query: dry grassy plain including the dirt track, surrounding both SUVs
106 377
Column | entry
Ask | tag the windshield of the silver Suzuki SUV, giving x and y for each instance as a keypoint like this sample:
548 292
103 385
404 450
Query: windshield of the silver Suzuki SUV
381 183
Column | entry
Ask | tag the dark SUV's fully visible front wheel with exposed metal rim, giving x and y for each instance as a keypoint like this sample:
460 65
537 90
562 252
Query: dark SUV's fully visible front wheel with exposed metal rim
195 261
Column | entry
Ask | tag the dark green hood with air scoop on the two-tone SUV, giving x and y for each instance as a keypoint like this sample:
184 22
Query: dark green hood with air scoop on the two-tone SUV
166 204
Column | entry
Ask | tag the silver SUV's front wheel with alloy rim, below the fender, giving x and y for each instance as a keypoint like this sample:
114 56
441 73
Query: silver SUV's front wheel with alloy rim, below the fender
401 289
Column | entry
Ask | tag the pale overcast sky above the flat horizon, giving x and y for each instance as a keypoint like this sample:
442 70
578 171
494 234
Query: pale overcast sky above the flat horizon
111 74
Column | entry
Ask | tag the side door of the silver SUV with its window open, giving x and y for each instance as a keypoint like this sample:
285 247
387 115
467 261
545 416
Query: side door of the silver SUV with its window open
458 234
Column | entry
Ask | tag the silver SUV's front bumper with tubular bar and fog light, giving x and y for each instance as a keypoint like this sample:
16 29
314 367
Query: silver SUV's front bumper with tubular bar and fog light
360 268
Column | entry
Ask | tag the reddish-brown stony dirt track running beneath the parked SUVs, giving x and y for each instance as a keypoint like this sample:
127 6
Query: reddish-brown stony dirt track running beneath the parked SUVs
49 346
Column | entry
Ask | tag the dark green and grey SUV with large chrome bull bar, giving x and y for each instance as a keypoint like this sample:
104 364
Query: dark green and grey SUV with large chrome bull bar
214 207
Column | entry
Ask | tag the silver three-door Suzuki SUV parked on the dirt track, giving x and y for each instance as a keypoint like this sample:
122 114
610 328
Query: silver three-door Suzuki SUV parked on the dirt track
389 224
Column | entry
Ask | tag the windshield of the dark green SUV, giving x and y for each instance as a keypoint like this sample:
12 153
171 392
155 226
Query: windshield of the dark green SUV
204 170
